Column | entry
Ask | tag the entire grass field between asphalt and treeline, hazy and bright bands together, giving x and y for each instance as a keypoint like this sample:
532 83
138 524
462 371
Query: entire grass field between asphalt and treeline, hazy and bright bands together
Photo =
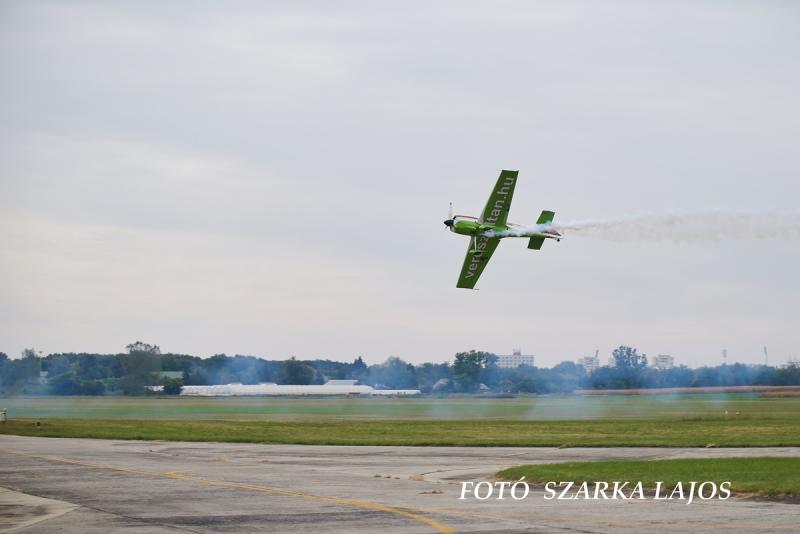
681 421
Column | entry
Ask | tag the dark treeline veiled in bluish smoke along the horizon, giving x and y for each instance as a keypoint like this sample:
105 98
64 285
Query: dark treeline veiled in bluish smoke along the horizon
143 365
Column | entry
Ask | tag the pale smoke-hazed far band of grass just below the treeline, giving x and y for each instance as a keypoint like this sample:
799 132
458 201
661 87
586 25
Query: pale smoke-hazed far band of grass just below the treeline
521 408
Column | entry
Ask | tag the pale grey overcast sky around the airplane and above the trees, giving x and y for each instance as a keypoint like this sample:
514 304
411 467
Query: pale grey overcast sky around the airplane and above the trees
271 178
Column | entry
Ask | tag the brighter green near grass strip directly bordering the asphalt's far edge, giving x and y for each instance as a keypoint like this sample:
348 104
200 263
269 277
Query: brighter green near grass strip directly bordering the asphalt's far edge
687 432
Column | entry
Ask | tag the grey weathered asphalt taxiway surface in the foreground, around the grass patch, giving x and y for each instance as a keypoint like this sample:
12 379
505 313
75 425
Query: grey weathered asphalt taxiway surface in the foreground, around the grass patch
77 485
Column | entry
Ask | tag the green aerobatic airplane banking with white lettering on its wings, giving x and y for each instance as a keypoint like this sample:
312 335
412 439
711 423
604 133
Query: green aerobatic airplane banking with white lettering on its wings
487 230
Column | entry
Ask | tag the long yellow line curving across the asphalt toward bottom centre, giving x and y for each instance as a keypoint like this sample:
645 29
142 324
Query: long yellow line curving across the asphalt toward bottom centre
439 526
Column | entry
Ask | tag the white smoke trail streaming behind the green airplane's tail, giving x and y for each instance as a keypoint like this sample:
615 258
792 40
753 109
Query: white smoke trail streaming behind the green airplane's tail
688 226
